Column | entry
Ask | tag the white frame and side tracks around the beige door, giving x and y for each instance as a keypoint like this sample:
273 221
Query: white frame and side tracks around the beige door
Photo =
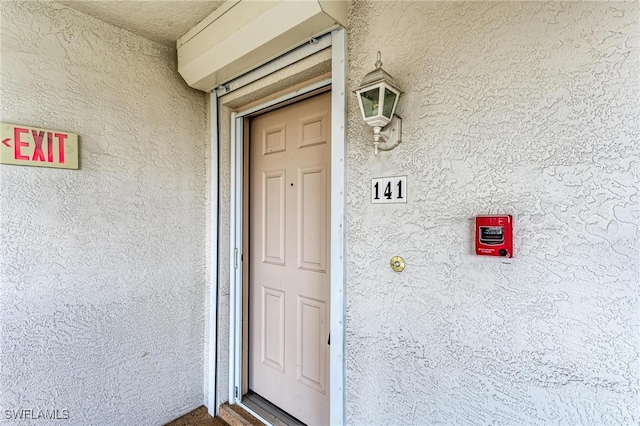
337 360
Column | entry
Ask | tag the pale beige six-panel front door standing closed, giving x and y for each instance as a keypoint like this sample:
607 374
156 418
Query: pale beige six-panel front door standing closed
289 277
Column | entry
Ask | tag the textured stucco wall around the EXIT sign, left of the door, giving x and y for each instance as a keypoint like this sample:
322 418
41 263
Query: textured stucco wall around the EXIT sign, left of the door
102 269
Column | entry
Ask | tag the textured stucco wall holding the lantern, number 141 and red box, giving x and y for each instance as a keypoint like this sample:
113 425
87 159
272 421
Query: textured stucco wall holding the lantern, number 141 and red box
525 108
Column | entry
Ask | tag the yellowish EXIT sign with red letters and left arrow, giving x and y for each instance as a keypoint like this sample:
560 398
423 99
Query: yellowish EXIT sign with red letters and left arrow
32 146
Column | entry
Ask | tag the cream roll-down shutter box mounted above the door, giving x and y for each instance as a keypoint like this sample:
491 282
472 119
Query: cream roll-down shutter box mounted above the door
247 34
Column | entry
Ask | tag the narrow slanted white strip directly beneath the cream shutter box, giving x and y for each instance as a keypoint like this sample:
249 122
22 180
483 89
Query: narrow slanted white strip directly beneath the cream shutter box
309 48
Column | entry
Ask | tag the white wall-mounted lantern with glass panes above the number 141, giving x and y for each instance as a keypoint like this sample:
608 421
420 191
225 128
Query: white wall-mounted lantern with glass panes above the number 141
378 96
